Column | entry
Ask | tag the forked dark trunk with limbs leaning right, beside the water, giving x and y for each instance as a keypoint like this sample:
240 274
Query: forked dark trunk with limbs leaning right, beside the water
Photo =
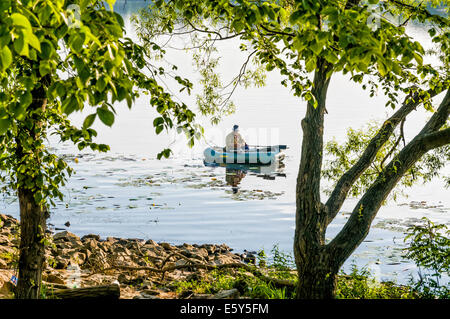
317 262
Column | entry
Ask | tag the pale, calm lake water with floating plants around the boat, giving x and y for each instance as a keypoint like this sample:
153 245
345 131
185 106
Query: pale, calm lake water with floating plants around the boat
128 193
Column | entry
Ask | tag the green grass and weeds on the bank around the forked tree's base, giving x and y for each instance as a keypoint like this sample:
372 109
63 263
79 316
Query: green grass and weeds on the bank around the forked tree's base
358 284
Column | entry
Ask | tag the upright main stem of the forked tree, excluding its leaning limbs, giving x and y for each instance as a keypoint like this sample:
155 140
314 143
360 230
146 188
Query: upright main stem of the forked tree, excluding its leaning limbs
316 277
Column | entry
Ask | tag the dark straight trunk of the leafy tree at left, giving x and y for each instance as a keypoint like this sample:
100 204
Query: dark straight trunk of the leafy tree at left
33 215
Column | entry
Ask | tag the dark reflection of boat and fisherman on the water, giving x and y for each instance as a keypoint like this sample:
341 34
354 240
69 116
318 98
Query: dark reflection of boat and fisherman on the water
235 173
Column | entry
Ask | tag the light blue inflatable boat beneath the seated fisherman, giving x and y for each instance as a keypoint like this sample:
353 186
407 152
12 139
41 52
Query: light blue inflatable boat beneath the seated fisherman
259 155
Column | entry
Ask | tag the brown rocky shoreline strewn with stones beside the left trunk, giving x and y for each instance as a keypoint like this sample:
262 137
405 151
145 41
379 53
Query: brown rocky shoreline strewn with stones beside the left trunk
142 269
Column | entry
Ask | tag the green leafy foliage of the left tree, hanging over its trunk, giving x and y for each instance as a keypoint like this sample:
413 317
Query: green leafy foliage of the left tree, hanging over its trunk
58 57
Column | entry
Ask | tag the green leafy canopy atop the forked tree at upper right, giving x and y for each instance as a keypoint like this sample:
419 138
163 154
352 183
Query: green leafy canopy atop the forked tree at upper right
366 39
